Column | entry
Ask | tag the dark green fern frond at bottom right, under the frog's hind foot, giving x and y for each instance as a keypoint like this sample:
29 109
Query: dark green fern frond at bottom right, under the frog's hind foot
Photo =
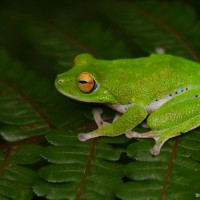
168 170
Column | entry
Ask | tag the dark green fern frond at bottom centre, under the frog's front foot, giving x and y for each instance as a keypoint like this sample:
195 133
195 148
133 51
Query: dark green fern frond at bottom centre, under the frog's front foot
80 166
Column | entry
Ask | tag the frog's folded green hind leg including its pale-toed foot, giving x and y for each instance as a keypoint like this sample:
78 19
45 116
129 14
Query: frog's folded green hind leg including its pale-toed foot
174 118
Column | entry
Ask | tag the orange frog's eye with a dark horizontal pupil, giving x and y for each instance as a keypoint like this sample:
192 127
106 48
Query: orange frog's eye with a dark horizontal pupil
86 83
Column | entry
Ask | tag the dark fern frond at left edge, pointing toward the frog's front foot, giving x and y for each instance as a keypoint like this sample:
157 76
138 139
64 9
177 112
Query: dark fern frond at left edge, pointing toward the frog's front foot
16 108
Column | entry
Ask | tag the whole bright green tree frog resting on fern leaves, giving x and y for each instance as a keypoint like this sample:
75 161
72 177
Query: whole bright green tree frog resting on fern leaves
161 88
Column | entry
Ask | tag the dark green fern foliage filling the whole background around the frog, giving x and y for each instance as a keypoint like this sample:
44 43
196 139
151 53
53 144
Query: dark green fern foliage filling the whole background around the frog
40 154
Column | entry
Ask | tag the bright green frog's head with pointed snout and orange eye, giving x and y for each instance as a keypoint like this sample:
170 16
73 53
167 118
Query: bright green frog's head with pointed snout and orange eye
83 82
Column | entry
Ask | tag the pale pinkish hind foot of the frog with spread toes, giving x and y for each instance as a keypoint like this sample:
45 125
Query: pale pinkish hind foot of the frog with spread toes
151 134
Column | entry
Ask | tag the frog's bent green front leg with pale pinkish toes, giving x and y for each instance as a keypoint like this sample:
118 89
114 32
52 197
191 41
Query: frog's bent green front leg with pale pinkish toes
134 115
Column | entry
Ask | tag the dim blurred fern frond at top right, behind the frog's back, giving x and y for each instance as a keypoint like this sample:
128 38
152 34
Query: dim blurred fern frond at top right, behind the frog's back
152 24
